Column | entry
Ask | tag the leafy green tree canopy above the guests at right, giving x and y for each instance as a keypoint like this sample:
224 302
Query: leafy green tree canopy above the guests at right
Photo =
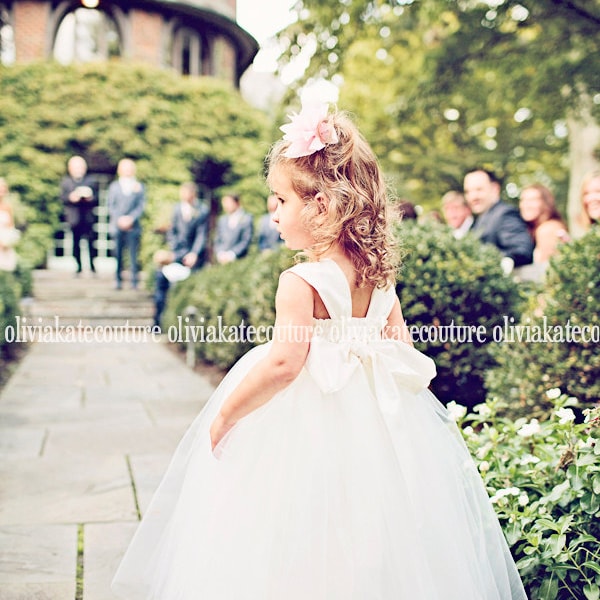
442 85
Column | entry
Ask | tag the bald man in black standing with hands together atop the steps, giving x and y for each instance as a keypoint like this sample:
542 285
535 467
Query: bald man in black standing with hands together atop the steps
79 200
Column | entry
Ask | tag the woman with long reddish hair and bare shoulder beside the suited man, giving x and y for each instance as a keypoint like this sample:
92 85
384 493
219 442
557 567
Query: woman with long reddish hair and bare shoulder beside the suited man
546 226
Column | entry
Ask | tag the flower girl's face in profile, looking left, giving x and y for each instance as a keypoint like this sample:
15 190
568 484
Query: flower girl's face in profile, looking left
288 214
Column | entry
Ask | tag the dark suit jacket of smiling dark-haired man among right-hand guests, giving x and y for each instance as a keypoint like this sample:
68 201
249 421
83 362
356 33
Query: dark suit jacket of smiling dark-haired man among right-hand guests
503 226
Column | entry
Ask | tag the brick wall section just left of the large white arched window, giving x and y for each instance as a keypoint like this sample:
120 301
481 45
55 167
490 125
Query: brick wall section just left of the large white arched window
30 27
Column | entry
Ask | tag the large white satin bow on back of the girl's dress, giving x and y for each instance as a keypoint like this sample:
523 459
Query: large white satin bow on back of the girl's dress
391 367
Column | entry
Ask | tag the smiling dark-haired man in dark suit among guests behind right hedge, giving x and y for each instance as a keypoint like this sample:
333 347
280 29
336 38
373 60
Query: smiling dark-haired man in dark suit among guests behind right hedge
497 222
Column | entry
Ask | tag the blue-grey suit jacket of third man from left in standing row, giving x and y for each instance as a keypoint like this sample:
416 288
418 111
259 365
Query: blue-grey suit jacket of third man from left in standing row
189 236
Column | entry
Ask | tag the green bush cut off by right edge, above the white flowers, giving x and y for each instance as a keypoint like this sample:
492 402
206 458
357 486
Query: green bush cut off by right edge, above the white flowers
571 297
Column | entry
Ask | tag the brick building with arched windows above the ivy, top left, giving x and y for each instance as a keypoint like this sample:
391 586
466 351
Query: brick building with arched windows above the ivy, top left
199 37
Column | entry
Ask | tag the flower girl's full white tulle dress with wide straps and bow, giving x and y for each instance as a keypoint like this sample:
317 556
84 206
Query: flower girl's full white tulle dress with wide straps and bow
350 484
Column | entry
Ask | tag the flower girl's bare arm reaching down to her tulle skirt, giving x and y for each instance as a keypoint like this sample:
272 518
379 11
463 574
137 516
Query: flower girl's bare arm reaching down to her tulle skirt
291 340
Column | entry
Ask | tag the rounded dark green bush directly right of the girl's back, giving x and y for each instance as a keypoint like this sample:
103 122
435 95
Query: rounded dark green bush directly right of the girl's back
457 285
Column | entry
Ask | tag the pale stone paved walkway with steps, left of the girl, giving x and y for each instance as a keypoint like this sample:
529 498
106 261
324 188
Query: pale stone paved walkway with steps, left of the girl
86 431
